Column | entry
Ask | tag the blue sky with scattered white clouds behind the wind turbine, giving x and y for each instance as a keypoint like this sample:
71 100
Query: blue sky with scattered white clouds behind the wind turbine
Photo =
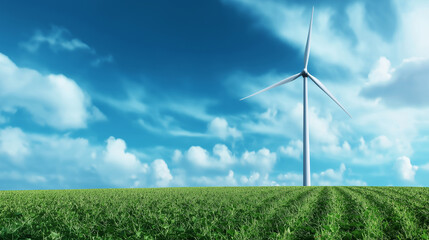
146 94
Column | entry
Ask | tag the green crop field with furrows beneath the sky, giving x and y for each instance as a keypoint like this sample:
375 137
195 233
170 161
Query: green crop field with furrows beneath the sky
217 213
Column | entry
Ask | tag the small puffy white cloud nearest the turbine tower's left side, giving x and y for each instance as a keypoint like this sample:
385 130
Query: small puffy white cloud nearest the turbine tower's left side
263 159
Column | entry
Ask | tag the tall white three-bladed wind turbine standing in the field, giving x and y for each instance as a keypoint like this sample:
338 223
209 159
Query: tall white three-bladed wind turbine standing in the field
305 74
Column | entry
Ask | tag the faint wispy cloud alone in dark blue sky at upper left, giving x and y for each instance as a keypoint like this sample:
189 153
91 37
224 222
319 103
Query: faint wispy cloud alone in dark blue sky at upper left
58 38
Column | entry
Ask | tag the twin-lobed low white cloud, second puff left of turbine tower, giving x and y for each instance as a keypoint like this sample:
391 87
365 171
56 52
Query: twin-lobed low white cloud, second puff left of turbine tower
222 157
